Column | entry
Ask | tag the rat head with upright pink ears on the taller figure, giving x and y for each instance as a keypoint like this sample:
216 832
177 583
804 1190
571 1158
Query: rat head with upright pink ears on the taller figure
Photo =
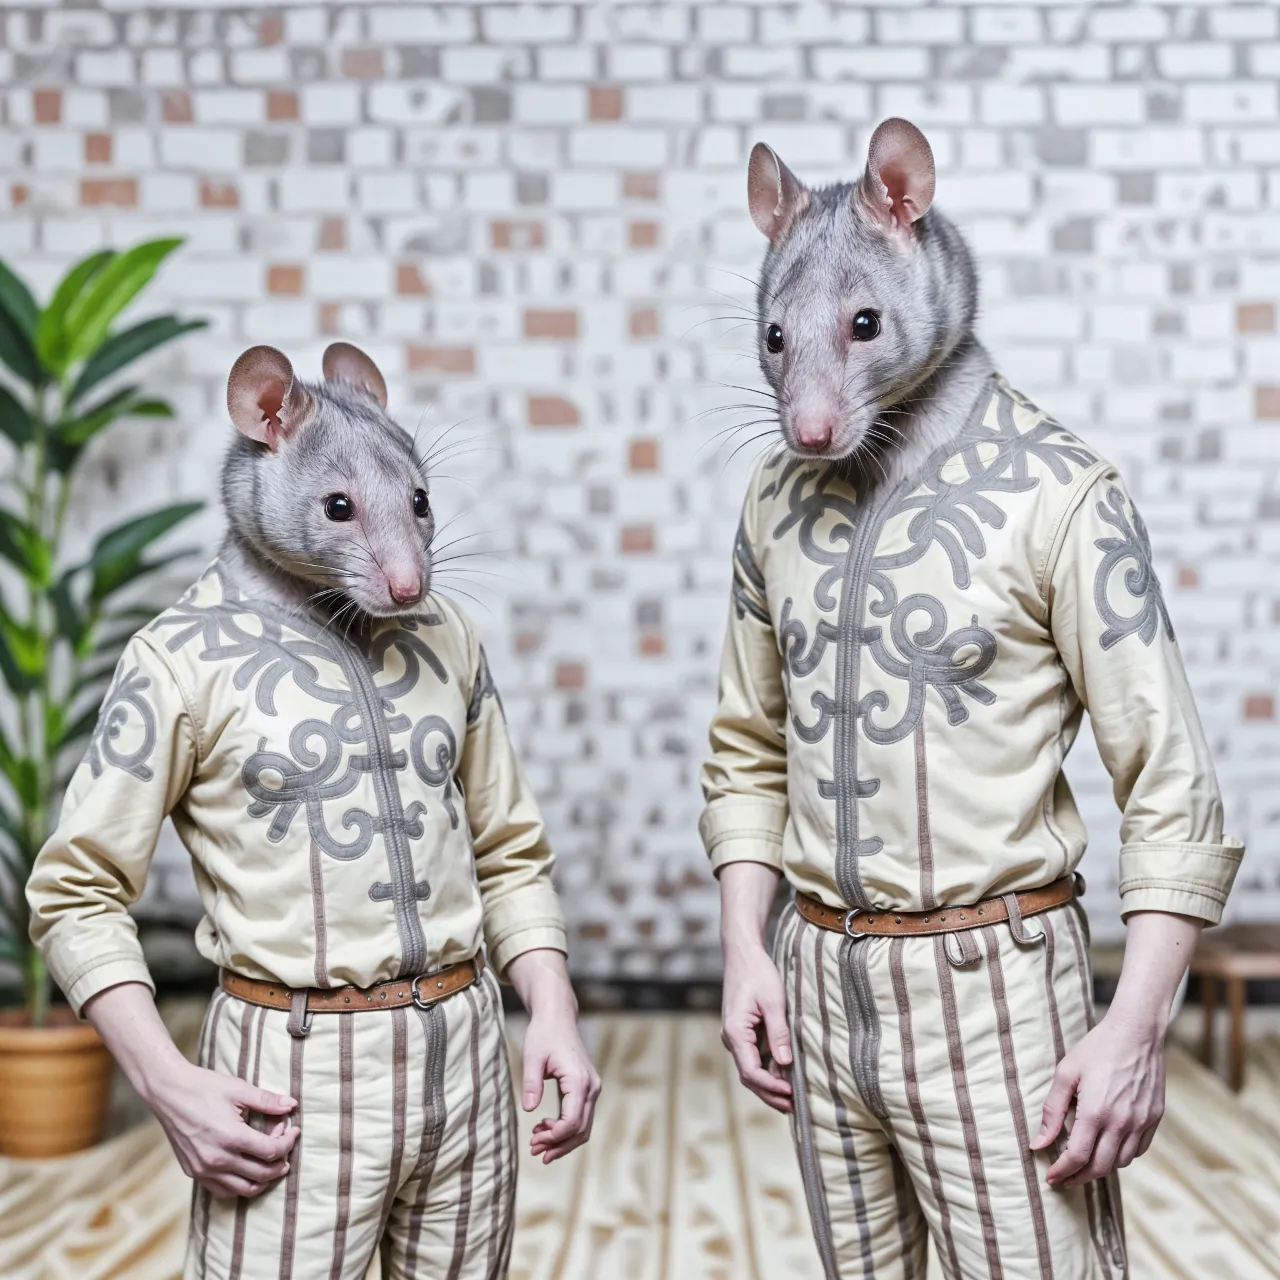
863 295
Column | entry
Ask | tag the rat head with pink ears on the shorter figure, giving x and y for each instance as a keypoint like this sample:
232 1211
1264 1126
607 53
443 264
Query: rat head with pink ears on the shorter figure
323 486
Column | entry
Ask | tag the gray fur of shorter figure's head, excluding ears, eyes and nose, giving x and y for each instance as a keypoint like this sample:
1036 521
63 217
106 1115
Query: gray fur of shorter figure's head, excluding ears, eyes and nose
280 536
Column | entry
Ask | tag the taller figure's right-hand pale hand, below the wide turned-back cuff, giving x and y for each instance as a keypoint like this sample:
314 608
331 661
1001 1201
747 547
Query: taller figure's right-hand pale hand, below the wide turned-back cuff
1117 1077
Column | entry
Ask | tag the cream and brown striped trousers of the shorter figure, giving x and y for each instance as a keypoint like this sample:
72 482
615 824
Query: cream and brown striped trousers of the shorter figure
409 1145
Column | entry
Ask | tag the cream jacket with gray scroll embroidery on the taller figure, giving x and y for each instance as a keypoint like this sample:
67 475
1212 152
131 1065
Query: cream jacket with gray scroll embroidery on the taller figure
903 679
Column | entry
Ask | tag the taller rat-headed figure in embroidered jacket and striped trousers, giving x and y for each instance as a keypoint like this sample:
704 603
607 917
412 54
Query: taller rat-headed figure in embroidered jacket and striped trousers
932 583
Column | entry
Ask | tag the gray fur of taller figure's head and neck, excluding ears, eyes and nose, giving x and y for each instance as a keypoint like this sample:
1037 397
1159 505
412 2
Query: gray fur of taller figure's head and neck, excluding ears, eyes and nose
903 394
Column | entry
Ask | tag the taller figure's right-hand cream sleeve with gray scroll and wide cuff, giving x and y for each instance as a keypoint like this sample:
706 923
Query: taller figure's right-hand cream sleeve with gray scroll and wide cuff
1114 634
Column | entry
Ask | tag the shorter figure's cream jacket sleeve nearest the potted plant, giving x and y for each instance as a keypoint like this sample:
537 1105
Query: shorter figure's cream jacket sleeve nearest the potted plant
95 865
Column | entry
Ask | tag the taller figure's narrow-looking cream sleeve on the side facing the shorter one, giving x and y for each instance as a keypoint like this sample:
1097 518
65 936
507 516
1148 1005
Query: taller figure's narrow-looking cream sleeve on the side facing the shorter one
746 780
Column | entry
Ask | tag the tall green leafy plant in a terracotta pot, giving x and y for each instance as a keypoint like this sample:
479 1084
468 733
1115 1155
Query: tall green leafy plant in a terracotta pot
62 629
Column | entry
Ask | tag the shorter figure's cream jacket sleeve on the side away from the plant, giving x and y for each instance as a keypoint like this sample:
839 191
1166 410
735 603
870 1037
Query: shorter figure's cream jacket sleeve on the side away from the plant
514 860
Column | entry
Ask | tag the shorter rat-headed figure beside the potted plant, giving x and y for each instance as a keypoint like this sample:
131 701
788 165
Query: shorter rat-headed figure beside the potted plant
327 737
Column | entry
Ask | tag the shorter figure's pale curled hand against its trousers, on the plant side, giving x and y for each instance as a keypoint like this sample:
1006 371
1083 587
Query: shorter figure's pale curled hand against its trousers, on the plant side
204 1114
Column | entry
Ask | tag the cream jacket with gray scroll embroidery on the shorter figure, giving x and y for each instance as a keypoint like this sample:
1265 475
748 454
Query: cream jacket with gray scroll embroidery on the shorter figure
355 812
